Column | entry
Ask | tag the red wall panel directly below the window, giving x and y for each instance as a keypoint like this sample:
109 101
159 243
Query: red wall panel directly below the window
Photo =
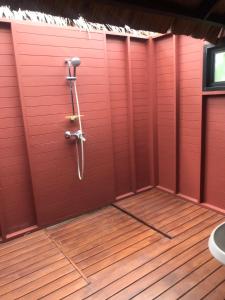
214 185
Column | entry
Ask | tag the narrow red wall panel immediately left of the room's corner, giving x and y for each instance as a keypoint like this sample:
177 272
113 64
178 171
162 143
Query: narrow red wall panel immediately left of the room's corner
141 111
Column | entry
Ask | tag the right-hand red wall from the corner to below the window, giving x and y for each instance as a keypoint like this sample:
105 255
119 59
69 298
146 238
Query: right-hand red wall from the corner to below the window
190 124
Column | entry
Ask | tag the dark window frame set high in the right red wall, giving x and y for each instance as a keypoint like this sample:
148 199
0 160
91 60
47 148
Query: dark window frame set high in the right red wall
208 68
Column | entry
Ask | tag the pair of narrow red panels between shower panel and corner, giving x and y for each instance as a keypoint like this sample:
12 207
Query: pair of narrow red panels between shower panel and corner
130 107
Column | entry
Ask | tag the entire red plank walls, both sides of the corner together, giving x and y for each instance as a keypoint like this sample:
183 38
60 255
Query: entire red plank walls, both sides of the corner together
146 120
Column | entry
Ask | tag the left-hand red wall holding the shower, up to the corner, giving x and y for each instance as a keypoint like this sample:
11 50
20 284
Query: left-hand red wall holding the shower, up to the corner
39 184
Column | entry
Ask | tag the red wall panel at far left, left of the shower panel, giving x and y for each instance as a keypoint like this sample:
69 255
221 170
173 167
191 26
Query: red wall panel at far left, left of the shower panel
15 191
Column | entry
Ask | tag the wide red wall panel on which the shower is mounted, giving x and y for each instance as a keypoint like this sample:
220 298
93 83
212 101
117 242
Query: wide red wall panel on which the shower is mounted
41 52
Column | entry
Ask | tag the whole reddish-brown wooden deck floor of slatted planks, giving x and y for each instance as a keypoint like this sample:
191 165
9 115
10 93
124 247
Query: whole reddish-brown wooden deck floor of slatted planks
110 255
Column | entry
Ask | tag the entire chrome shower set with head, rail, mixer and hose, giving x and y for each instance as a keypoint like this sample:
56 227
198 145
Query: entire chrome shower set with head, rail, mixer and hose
77 135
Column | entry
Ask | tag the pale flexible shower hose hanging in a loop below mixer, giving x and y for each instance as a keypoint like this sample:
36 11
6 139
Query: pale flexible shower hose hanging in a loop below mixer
79 154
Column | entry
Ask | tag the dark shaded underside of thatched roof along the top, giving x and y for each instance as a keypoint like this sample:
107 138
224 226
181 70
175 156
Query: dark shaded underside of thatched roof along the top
198 18
